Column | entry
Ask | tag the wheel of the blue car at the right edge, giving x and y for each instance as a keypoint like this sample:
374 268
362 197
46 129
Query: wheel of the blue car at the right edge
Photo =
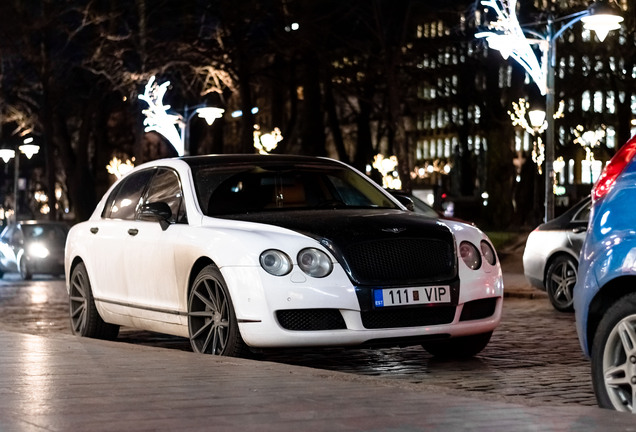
614 356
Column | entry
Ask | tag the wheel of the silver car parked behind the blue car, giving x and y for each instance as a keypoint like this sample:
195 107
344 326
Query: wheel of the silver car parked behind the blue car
559 283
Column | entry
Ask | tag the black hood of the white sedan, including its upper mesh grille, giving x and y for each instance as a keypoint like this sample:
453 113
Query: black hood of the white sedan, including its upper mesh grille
377 246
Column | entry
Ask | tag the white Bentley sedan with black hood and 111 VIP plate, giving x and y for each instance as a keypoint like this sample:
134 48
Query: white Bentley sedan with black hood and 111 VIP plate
247 252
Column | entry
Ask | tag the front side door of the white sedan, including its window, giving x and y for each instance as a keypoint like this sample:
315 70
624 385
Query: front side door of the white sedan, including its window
151 276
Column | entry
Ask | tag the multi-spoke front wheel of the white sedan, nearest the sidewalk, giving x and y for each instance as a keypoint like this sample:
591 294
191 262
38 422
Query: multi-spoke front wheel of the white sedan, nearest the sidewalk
212 323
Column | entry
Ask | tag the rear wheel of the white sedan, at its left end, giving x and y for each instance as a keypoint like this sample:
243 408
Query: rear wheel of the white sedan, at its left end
85 320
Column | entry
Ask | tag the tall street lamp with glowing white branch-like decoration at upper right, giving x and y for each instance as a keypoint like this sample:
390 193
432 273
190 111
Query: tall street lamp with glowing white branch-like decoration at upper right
510 39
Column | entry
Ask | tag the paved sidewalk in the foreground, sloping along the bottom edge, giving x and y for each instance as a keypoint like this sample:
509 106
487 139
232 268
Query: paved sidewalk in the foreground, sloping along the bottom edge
67 383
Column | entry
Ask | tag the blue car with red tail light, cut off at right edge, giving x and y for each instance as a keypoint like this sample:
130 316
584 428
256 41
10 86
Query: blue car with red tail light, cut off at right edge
605 292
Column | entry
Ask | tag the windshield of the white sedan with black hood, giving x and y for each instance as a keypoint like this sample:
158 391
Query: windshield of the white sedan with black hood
265 187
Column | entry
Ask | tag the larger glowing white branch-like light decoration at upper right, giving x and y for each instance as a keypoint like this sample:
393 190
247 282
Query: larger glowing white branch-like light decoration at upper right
508 38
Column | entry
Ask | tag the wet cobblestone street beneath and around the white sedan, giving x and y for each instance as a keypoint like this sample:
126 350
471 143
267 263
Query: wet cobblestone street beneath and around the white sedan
533 357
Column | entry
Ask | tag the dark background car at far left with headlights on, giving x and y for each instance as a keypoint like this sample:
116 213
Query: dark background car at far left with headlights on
33 247
